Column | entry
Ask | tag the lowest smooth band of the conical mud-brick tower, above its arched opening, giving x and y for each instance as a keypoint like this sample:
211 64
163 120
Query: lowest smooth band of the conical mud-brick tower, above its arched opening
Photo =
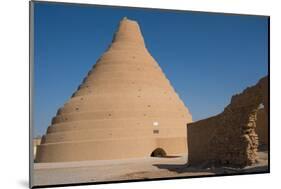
119 148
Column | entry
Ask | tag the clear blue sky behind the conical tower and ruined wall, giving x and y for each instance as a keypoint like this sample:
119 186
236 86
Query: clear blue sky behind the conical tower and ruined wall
207 57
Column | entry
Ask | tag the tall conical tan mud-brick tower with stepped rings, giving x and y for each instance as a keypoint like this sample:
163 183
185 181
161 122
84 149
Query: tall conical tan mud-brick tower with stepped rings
125 108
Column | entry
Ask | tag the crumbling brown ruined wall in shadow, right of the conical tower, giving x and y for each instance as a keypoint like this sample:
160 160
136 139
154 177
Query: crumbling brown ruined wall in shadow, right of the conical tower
229 138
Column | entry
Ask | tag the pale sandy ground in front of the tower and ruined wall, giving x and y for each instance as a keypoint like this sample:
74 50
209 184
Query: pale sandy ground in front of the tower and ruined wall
130 169
